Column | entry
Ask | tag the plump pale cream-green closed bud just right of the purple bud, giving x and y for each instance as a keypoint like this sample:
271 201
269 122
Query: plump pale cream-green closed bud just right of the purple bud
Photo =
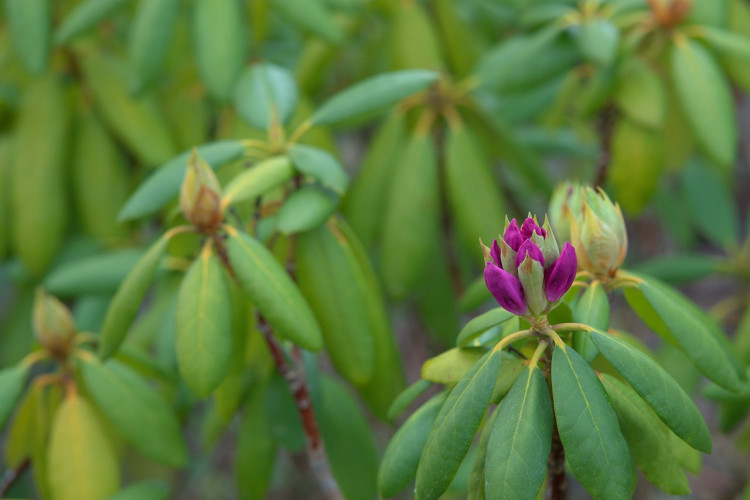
598 234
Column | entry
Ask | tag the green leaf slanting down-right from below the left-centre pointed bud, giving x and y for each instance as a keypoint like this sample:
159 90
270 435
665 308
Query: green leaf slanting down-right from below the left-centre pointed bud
273 292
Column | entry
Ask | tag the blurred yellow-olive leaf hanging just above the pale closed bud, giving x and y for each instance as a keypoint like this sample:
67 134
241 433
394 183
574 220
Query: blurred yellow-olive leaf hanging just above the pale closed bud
636 165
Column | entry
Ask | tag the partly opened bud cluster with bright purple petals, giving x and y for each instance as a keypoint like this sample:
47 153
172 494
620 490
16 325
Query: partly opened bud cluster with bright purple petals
526 271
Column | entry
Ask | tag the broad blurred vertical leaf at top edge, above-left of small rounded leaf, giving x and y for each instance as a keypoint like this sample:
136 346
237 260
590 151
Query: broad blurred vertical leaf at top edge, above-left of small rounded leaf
220 39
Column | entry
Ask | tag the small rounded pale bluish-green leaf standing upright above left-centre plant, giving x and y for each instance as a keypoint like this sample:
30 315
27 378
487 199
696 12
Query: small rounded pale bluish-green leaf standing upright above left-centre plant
265 94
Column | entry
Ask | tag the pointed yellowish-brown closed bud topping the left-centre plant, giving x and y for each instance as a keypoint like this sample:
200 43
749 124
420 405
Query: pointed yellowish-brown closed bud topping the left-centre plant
200 195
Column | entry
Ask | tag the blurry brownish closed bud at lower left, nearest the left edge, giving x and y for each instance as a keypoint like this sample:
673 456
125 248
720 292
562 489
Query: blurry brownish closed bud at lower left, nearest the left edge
53 324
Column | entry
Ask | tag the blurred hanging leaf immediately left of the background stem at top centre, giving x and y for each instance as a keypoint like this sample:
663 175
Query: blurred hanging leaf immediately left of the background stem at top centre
410 224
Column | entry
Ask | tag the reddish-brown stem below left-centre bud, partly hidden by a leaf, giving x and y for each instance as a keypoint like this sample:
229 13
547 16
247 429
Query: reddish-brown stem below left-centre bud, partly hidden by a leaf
295 378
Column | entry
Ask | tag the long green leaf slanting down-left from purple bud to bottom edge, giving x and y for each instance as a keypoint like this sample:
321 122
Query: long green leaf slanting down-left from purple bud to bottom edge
455 428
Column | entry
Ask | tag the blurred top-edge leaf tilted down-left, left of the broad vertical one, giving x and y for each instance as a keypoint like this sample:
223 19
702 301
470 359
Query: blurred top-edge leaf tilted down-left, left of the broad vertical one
149 37
